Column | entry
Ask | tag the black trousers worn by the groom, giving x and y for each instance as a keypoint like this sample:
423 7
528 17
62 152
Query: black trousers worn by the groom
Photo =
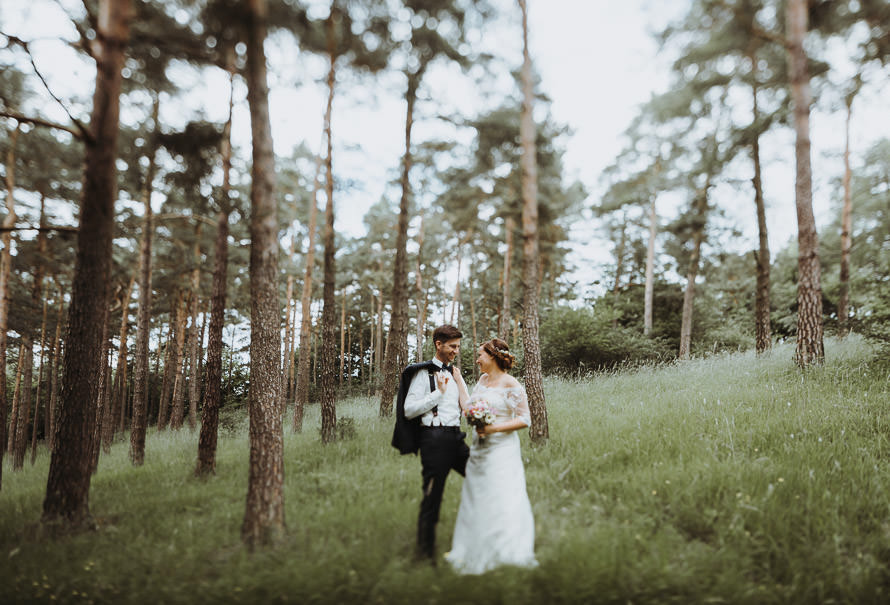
442 448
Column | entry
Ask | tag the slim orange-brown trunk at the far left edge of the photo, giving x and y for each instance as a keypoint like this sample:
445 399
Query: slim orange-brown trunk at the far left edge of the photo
5 270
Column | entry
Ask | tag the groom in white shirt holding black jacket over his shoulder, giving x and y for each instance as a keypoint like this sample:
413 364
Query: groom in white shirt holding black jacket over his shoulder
428 419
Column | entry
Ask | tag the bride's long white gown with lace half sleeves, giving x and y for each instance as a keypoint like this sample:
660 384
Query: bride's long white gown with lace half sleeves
494 524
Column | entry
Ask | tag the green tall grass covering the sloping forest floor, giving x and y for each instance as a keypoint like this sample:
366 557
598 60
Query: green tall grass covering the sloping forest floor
727 479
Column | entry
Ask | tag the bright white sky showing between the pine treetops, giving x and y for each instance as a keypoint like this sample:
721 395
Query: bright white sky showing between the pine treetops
598 63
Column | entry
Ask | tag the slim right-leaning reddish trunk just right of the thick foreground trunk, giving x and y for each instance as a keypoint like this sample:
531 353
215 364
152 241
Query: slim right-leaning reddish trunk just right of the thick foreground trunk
301 396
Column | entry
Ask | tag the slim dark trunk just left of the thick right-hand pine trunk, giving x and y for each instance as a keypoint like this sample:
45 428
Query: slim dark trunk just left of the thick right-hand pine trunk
762 328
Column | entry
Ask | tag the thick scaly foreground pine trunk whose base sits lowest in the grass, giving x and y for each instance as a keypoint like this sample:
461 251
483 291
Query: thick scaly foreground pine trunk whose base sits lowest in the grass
264 512
